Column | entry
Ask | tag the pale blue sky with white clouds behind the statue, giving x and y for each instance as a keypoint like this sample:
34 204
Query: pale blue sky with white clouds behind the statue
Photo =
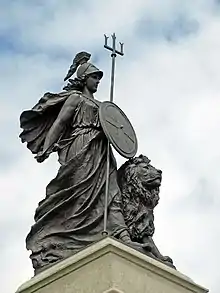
167 83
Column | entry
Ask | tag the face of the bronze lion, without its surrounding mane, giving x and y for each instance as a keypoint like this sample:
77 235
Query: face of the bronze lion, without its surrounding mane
148 175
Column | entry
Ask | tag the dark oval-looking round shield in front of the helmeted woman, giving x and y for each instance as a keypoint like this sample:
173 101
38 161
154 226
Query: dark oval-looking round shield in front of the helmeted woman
118 129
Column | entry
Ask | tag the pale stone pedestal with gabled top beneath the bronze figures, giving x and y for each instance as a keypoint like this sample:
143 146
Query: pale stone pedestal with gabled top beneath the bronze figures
109 266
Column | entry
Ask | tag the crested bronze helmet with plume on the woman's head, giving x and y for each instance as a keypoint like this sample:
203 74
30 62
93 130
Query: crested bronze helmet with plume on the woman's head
84 67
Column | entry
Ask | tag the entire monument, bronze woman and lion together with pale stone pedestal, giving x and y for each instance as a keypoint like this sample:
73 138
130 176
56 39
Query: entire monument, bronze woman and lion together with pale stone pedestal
91 207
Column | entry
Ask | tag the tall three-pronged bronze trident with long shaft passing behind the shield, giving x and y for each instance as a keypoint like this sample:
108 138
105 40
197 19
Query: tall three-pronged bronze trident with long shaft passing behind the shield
113 55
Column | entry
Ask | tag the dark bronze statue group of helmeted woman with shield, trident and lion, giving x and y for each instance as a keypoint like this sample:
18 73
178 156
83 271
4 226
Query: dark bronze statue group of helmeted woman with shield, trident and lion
84 201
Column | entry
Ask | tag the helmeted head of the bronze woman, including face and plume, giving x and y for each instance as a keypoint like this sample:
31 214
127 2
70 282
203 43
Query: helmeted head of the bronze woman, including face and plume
87 74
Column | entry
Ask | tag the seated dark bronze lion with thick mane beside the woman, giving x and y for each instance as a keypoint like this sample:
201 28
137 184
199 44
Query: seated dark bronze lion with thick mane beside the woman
139 182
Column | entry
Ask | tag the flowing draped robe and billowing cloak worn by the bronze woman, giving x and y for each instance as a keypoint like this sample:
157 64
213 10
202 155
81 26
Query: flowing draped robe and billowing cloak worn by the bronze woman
71 215
